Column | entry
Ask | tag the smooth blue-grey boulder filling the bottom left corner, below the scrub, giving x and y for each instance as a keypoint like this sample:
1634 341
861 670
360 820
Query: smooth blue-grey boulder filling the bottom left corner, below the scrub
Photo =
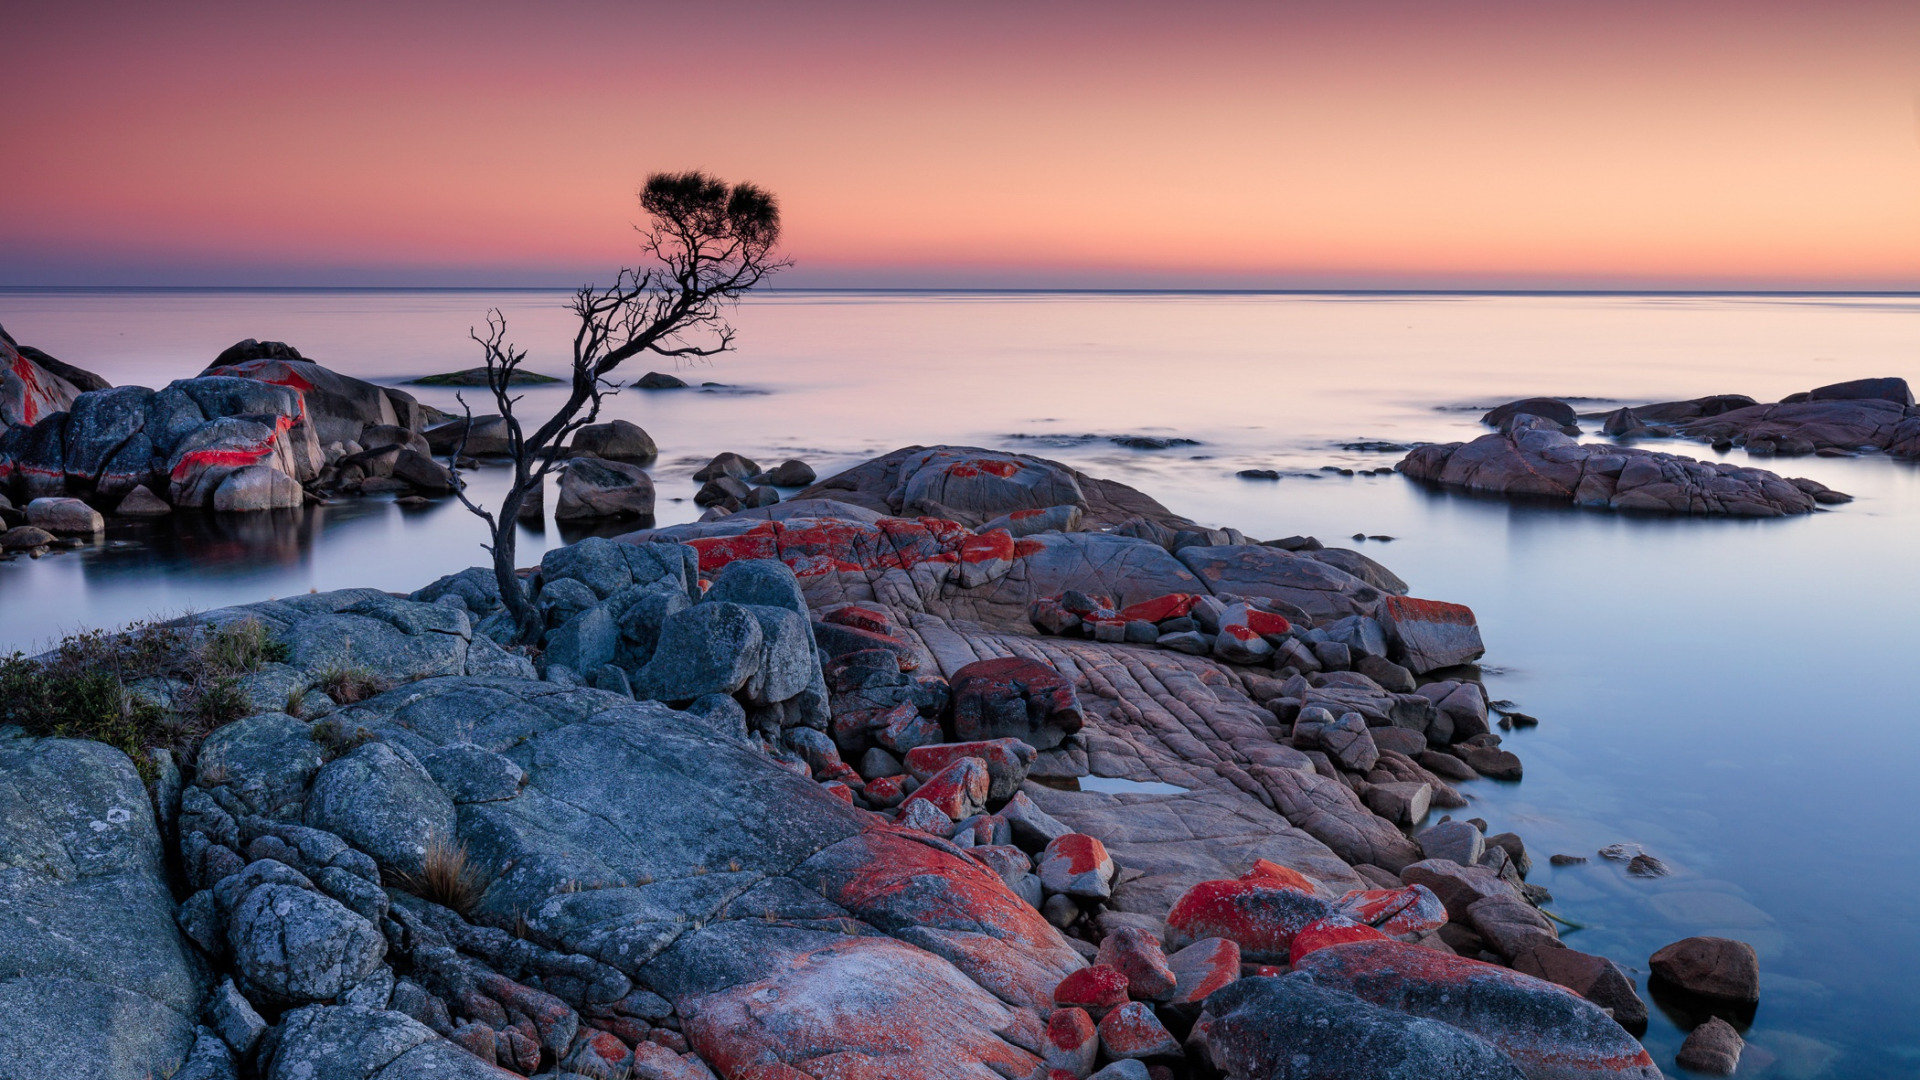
95 977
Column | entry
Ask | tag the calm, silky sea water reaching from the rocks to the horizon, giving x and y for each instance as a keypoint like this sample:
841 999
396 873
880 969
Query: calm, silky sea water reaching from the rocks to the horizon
1735 697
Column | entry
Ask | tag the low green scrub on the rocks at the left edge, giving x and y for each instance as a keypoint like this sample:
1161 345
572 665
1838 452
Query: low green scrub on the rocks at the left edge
151 687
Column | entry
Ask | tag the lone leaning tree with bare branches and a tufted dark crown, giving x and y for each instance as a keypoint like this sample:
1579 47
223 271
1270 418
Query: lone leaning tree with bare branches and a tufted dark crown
708 245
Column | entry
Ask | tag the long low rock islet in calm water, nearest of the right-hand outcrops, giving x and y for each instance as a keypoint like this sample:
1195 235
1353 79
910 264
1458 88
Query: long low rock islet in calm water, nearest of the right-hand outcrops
1535 458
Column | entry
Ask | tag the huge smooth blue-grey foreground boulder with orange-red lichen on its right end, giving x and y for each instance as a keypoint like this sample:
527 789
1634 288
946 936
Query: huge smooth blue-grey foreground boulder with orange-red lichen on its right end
715 877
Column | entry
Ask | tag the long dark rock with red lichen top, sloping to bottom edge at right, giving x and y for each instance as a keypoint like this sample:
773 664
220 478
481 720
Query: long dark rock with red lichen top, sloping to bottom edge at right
1548 1031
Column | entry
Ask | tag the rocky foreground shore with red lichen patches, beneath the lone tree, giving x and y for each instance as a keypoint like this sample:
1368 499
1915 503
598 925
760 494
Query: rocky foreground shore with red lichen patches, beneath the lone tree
796 793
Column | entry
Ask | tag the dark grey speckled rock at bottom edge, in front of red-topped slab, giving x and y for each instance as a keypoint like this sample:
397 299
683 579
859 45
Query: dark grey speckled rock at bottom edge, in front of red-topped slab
1291 1027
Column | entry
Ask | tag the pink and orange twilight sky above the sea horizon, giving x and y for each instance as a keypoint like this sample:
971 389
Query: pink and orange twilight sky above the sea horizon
1059 145
